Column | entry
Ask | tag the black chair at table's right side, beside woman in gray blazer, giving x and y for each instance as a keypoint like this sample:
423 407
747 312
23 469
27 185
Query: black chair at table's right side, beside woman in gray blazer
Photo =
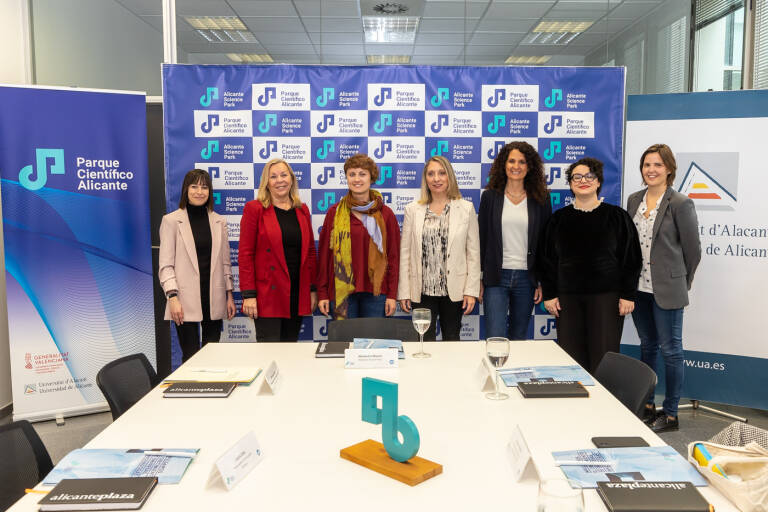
628 379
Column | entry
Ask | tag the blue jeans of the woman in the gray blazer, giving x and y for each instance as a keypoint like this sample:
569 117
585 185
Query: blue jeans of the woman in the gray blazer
661 329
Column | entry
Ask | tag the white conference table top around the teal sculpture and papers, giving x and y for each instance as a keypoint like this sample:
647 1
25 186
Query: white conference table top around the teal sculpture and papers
317 410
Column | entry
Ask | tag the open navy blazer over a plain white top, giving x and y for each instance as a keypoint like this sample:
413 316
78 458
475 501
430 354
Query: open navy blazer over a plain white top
491 245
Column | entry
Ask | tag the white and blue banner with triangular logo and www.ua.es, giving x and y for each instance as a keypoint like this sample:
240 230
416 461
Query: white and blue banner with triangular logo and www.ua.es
718 140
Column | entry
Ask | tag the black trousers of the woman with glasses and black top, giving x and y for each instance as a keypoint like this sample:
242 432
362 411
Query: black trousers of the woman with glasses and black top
589 326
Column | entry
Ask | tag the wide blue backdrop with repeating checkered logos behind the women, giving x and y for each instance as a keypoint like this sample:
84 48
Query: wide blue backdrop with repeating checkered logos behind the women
230 120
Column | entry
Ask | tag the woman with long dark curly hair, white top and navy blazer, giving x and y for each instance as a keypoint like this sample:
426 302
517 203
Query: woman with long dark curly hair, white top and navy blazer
514 208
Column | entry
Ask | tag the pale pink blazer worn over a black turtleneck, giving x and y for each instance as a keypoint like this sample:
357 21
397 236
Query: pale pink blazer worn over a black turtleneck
178 269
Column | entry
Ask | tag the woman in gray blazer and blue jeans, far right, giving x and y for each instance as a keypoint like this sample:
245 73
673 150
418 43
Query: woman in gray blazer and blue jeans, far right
669 239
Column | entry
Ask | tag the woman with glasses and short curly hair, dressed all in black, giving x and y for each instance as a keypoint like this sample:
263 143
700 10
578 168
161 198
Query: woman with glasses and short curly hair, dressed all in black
590 262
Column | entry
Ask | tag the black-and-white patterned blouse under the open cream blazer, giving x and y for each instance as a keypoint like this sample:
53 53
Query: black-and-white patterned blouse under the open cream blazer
434 250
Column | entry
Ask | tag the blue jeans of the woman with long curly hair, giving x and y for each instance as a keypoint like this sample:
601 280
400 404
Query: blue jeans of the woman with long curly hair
512 298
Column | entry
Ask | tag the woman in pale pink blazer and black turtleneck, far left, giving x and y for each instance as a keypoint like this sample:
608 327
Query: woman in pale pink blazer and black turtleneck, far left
194 264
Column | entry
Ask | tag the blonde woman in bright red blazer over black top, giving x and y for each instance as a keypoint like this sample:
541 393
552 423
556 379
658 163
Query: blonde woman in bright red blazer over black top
277 256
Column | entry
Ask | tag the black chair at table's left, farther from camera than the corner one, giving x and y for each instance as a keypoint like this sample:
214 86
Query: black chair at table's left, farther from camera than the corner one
125 381
